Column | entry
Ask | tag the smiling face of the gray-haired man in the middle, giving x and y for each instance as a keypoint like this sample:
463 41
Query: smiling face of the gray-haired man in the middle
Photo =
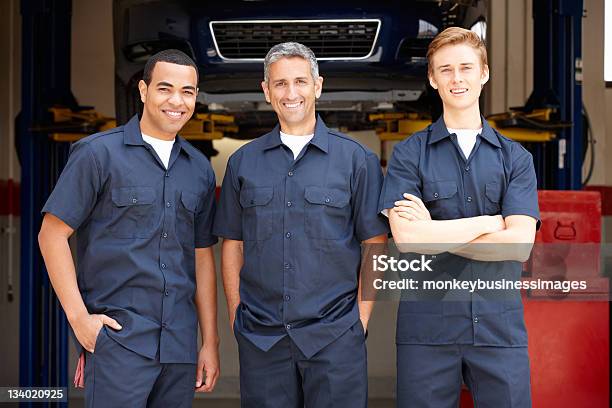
292 91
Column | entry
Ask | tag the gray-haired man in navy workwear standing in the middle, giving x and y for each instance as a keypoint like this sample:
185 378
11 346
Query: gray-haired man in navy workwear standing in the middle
296 205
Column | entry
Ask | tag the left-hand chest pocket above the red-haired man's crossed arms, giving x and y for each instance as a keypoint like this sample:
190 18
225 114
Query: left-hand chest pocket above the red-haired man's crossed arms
440 198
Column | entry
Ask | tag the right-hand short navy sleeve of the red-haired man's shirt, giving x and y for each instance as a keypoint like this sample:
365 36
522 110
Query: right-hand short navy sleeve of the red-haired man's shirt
521 196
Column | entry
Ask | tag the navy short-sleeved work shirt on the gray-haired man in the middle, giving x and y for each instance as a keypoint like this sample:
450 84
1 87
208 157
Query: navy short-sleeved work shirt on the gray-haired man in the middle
301 222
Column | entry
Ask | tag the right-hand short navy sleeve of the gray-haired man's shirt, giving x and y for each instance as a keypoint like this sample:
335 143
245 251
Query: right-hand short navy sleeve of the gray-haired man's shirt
368 221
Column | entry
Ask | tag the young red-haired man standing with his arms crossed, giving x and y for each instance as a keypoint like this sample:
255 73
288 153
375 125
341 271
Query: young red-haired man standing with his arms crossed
460 183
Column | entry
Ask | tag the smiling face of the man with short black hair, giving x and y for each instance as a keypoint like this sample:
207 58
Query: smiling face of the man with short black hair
169 99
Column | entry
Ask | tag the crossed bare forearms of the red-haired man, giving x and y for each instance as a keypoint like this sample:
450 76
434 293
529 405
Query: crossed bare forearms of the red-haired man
414 231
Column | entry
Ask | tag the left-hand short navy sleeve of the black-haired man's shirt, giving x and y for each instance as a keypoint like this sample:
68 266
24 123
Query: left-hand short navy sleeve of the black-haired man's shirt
75 195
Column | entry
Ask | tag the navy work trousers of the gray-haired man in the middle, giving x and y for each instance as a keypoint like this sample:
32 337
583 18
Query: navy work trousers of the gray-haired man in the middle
283 377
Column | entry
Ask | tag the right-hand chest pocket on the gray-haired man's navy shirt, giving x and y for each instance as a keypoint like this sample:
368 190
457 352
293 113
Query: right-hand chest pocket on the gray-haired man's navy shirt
327 213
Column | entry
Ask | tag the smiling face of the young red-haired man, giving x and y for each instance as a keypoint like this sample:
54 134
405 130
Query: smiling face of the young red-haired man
458 75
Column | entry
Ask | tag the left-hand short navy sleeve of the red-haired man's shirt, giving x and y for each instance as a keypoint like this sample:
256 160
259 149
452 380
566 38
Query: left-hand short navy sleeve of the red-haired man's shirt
402 175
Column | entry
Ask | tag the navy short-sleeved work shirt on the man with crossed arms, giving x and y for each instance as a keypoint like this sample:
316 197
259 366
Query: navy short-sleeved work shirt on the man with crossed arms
497 178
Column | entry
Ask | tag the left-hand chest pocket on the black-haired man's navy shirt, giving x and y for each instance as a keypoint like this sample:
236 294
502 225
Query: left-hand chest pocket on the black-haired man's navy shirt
133 212
